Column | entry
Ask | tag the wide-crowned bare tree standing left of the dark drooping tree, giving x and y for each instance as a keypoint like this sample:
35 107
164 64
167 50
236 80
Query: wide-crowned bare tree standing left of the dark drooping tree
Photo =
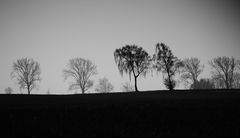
81 70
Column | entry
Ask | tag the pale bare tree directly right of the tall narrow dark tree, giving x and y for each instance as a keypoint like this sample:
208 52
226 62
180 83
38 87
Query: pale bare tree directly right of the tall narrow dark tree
191 70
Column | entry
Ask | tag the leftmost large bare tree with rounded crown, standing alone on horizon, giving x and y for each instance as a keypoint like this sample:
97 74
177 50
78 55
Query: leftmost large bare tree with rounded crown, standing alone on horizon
27 72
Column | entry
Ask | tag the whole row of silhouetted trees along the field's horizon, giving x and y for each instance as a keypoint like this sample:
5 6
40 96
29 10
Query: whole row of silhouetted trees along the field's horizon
134 61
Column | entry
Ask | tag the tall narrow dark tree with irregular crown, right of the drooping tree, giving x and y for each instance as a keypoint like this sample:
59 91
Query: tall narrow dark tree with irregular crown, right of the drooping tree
167 63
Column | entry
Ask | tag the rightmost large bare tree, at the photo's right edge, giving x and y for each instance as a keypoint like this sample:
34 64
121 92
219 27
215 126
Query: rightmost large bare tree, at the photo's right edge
224 69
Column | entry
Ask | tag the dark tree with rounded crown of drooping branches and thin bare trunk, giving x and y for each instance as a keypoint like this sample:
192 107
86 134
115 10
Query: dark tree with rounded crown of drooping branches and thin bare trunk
132 60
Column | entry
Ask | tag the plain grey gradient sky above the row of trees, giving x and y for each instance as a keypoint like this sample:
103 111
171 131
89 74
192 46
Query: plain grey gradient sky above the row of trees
54 31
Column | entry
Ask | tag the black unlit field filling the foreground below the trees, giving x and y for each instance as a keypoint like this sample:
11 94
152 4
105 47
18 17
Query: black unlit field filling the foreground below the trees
145 114
